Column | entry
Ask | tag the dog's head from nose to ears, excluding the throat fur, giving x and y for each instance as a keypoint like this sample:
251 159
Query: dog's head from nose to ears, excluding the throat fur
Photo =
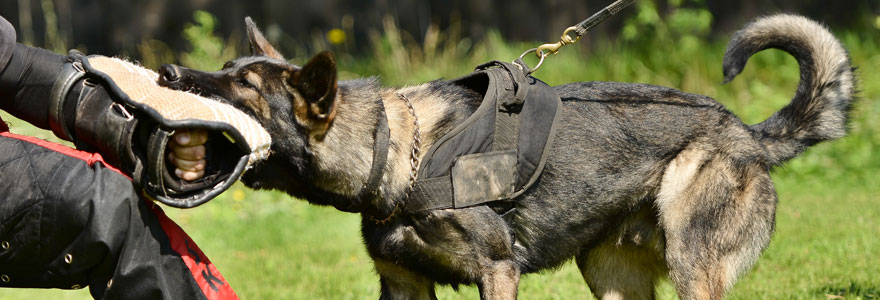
265 82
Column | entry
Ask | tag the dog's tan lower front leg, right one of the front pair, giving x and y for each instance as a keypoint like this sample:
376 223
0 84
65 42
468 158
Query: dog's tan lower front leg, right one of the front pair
499 281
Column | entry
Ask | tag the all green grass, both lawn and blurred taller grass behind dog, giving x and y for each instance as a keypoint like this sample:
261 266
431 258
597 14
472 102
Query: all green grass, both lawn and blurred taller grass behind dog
269 246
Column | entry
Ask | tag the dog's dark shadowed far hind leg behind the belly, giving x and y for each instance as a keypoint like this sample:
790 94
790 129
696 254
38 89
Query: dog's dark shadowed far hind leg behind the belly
628 264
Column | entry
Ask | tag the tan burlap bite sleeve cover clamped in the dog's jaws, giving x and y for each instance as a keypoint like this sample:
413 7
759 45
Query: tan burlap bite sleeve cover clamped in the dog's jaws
136 88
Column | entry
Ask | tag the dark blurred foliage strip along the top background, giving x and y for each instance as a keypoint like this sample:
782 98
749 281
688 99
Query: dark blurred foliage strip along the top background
113 27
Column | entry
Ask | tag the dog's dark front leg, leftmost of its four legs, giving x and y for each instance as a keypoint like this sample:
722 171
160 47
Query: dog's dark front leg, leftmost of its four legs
402 284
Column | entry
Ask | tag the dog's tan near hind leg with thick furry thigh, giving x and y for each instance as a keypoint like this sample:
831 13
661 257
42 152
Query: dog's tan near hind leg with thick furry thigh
717 213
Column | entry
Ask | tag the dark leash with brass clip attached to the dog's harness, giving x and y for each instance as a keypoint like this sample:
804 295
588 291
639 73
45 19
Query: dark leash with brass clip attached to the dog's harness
578 30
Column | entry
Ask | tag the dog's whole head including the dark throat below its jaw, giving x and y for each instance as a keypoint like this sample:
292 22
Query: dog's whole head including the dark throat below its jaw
295 104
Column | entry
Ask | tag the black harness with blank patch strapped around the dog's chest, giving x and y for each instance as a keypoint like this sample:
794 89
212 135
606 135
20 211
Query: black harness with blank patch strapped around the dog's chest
495 155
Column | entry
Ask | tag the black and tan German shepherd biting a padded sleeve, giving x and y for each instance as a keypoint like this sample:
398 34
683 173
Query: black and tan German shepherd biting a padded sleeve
643 181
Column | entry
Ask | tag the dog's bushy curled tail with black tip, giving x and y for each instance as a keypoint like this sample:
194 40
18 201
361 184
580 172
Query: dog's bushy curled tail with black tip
820 108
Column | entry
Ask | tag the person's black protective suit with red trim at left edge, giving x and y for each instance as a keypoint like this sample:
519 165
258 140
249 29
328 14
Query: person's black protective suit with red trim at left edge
68 220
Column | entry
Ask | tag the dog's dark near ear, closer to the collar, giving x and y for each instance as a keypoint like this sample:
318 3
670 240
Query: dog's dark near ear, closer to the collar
316 84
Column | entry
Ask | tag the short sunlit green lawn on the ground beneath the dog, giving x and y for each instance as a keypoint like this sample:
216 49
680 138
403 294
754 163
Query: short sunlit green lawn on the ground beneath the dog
269 246
